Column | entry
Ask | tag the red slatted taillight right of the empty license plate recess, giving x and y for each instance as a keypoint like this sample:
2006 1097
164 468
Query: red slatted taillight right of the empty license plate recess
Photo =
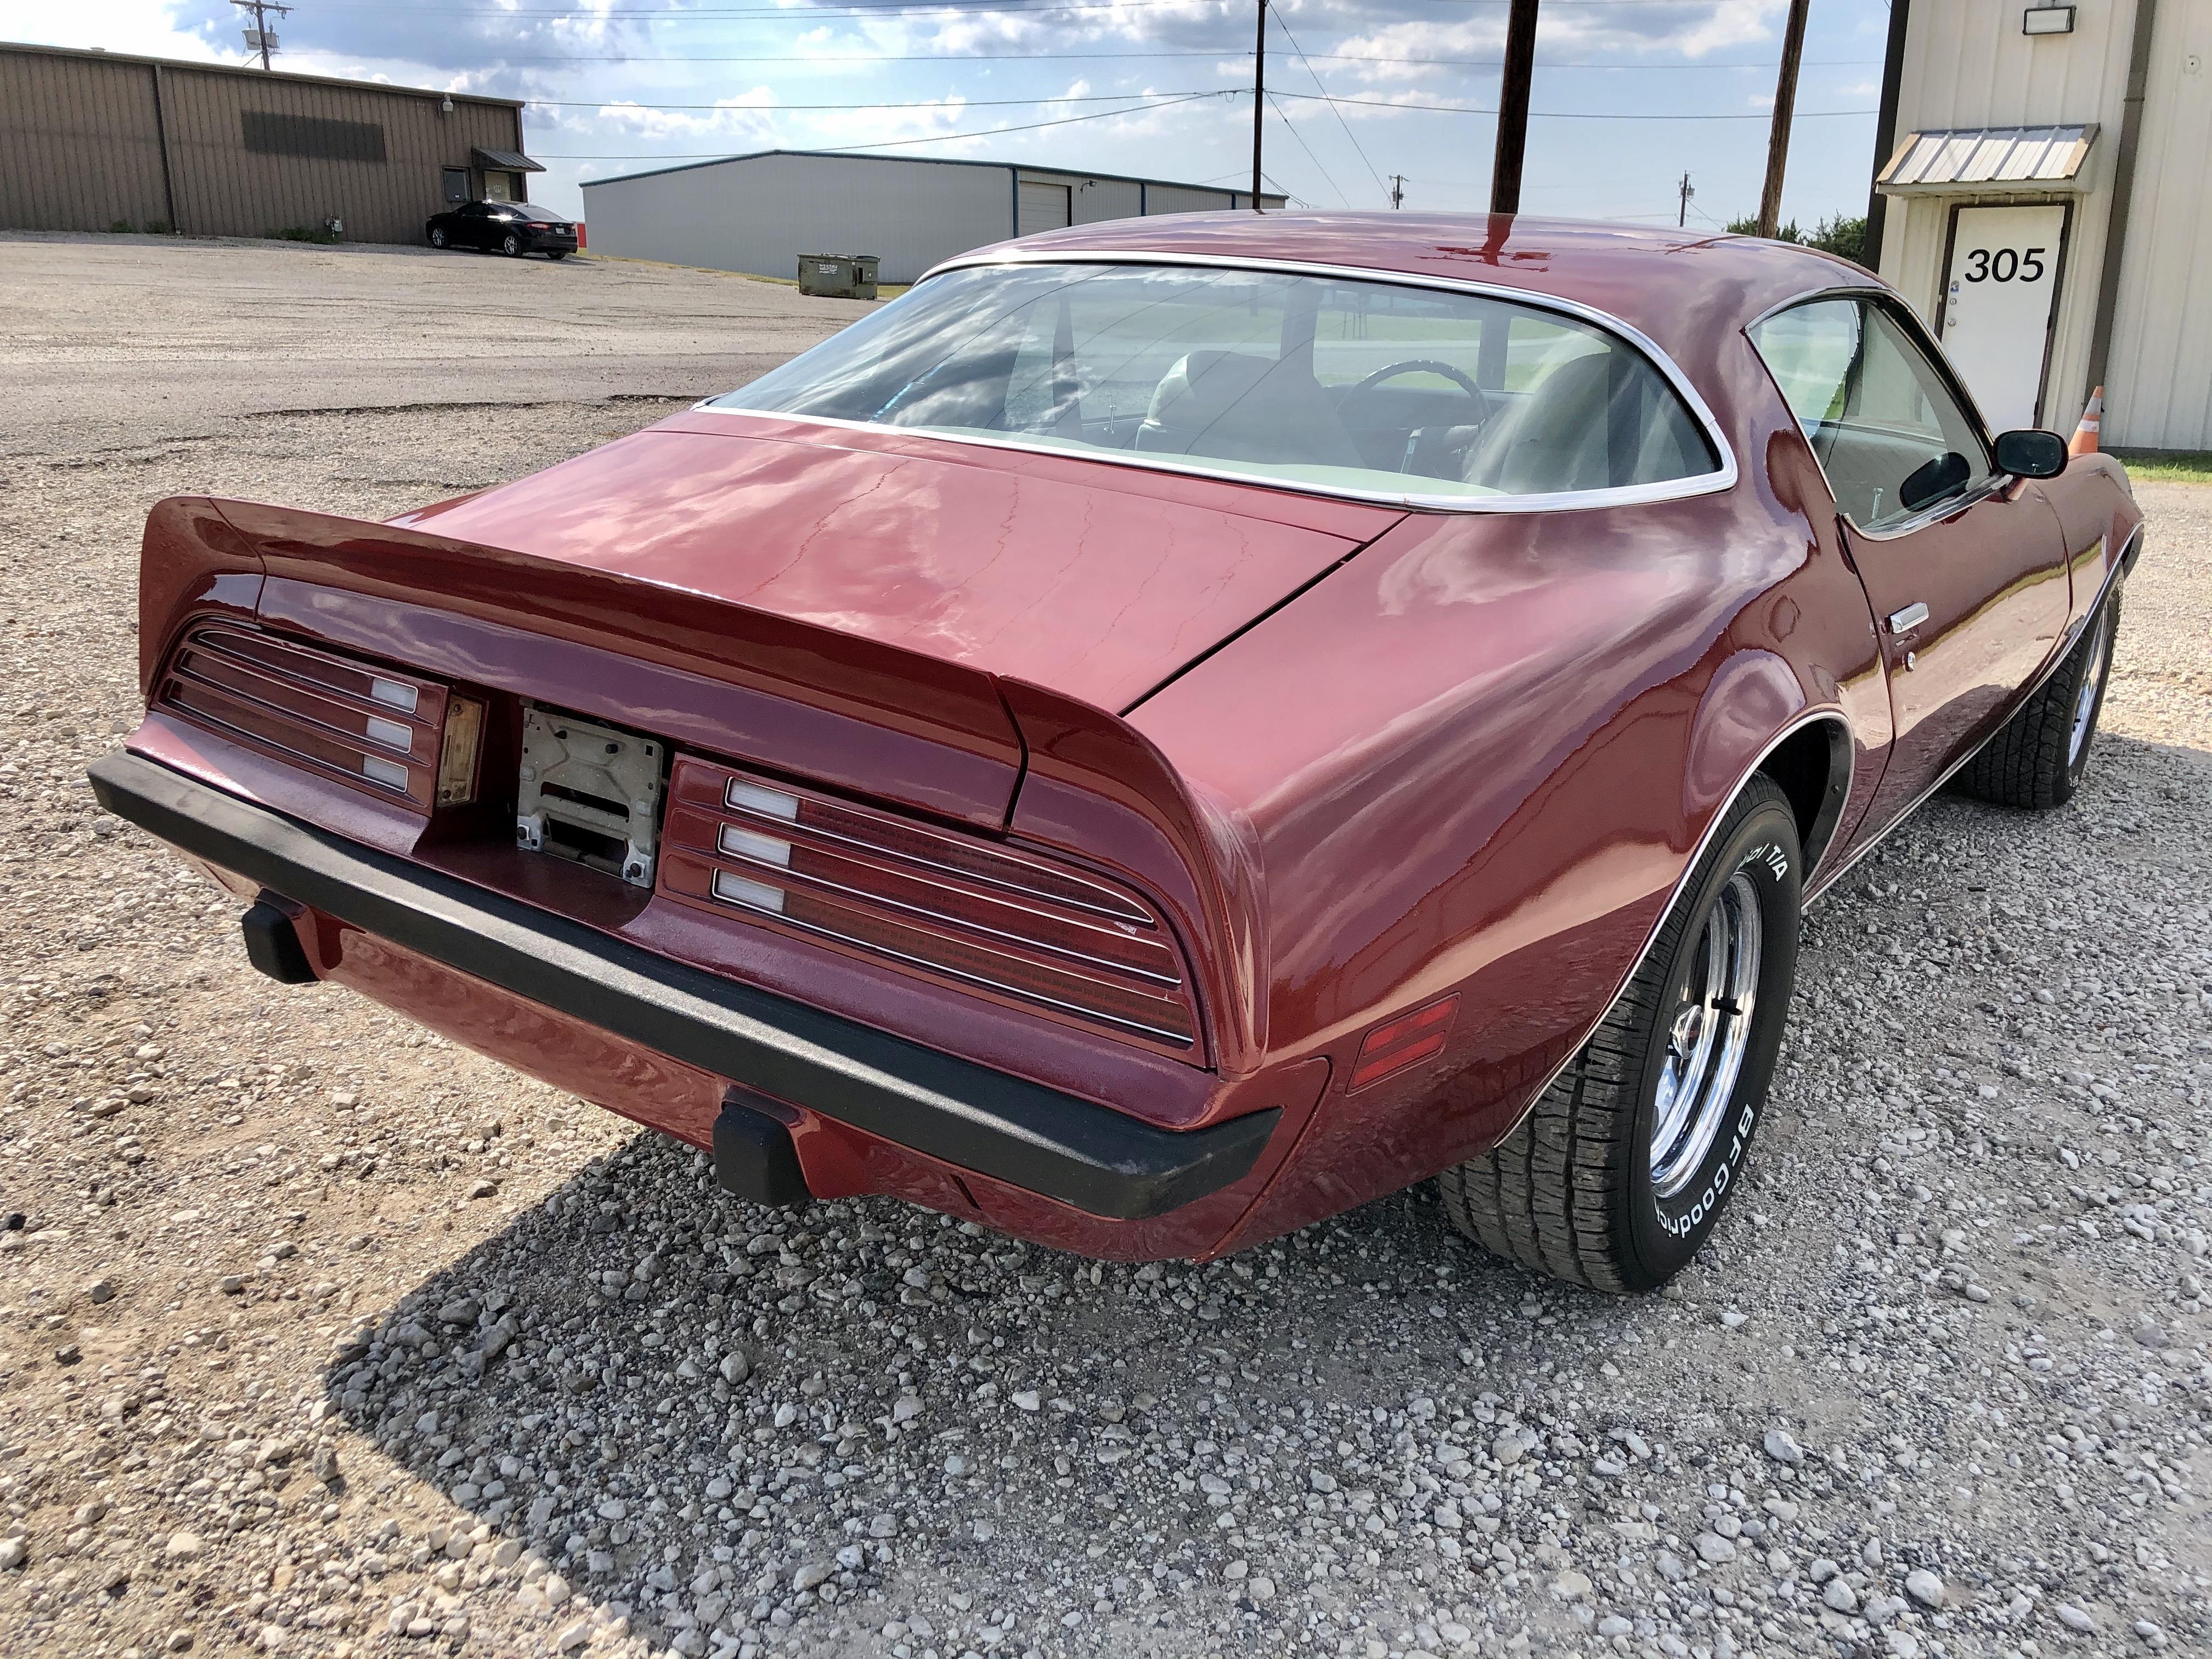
941 904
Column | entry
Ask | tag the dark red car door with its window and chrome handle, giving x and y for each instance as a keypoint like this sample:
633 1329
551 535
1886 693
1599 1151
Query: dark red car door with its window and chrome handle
1965 567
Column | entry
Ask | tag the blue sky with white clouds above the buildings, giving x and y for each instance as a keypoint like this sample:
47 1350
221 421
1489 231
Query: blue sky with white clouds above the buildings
1629 94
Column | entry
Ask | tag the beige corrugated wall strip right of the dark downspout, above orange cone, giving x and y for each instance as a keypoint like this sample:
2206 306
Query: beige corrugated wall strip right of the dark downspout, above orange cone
2160 393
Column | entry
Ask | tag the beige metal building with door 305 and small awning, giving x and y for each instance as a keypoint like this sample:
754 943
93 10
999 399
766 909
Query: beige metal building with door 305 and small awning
2043 187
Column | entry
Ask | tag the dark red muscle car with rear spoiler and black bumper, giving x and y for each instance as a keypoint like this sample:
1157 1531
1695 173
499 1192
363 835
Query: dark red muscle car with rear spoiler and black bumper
1169 731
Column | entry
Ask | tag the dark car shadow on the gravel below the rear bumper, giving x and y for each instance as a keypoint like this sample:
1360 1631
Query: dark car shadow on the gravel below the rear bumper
671 1412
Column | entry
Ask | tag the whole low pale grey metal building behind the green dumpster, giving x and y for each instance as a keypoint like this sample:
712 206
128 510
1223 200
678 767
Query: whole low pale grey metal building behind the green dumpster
760 213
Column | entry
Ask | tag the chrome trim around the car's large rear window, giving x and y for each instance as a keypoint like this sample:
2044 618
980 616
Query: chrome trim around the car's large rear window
1145 461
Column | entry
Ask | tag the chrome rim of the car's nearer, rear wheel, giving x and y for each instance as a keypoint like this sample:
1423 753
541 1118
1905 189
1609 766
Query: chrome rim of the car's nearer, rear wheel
1709 1036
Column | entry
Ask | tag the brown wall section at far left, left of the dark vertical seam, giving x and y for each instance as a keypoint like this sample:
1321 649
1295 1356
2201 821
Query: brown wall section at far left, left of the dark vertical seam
79 145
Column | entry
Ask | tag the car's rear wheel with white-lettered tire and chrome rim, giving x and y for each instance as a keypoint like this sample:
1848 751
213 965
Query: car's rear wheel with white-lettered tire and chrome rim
1623 1167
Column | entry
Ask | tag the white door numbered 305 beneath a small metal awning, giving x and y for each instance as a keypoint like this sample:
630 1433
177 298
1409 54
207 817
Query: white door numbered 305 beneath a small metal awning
1996 313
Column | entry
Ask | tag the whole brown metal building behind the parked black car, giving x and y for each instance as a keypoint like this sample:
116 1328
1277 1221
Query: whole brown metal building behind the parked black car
92 140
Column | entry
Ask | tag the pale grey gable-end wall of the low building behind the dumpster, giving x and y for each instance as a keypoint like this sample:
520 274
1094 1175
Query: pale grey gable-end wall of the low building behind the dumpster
760 213
